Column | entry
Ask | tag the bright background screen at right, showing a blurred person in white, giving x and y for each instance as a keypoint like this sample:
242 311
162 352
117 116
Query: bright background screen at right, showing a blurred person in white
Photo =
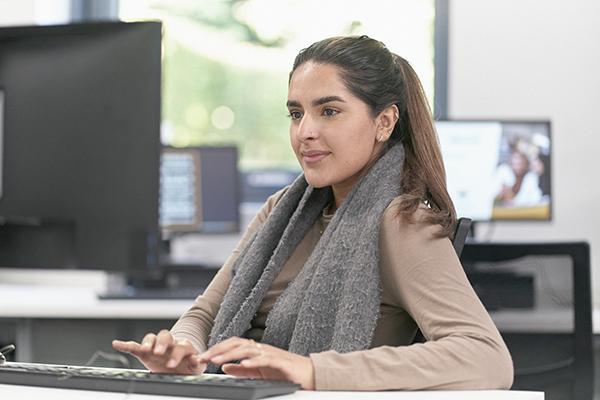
498 170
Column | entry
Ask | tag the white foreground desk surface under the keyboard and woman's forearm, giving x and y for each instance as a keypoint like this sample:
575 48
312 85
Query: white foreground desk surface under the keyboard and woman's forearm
14 392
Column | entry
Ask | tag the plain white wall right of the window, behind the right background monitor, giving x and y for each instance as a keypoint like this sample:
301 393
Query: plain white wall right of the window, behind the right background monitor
537 59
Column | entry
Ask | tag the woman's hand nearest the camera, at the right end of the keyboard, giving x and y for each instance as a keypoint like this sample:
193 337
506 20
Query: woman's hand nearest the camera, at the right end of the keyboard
260 361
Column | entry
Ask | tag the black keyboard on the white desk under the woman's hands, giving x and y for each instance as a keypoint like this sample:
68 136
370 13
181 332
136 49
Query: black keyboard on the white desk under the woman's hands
140 381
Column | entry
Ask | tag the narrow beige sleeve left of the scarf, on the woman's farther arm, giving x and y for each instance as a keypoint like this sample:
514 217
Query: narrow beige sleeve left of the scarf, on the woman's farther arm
196 323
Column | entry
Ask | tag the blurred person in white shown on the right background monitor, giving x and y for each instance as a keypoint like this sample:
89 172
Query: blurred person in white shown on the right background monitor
519 185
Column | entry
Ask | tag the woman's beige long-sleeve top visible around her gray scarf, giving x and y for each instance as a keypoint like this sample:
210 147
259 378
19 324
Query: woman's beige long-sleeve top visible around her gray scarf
423 285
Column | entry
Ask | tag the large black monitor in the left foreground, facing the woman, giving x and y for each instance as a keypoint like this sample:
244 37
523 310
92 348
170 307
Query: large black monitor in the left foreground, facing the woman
81 145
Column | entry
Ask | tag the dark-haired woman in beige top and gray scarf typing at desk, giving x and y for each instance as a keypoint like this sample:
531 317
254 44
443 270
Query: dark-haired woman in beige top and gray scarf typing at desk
335 273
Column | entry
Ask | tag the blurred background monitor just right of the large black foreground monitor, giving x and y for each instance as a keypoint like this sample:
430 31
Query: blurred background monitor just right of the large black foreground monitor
199 190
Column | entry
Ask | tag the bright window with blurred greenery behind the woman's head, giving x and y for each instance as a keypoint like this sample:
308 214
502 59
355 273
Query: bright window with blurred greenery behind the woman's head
226 62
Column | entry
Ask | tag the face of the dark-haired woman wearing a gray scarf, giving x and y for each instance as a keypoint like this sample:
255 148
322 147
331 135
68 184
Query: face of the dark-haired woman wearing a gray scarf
332 131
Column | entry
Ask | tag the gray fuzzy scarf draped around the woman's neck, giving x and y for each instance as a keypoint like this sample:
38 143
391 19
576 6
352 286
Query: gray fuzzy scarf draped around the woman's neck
333 303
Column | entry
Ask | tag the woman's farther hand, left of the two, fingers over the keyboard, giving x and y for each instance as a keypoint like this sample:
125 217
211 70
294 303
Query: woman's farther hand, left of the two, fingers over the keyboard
163 353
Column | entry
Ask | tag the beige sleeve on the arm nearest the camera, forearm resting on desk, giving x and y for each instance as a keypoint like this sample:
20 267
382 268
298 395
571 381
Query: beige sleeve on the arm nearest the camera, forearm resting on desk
464 350
